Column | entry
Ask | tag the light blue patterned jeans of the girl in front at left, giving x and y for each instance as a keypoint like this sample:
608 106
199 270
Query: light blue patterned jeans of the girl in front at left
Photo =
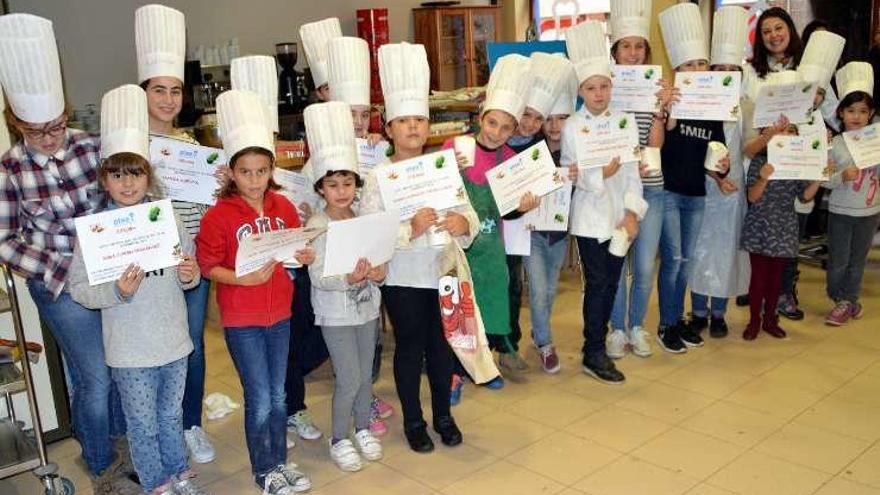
151 399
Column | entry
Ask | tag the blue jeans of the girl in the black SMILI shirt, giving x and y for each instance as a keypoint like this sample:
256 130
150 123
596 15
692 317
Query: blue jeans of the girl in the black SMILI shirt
682 218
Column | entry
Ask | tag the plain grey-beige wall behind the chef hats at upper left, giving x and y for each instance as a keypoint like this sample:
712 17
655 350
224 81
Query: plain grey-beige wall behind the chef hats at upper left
96 37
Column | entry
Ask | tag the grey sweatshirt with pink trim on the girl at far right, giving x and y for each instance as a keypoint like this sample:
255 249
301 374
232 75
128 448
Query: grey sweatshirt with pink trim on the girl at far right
858 198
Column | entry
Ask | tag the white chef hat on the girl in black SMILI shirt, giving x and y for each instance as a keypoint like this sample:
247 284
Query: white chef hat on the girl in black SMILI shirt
683 33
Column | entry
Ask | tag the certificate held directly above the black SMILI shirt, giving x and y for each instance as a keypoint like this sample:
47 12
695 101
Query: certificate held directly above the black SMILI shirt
707 95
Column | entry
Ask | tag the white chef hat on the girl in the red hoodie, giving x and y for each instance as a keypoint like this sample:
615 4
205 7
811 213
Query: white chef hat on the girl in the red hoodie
242 119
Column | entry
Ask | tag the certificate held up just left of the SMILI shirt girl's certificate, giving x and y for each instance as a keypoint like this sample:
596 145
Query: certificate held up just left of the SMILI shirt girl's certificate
635 88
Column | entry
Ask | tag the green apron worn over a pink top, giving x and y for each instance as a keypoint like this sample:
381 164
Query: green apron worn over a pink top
488 261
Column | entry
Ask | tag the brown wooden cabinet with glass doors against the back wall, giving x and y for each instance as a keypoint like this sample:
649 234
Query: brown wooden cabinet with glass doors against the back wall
456 40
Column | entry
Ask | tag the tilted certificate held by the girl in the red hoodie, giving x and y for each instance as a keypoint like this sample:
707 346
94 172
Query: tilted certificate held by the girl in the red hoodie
278 245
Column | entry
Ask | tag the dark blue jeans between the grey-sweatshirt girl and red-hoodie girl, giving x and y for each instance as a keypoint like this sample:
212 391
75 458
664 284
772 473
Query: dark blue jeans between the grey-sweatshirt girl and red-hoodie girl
194 393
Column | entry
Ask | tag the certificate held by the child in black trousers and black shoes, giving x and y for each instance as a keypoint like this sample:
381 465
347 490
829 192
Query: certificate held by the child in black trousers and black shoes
427 181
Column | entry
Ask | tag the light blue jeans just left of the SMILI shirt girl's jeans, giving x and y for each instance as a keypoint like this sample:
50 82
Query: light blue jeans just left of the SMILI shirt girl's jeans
643 259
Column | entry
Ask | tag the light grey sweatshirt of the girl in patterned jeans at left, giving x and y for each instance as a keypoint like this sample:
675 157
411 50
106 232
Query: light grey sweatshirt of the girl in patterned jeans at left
147 330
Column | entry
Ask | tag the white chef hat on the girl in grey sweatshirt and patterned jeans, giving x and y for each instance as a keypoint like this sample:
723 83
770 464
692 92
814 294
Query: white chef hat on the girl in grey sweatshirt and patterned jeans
125 123
